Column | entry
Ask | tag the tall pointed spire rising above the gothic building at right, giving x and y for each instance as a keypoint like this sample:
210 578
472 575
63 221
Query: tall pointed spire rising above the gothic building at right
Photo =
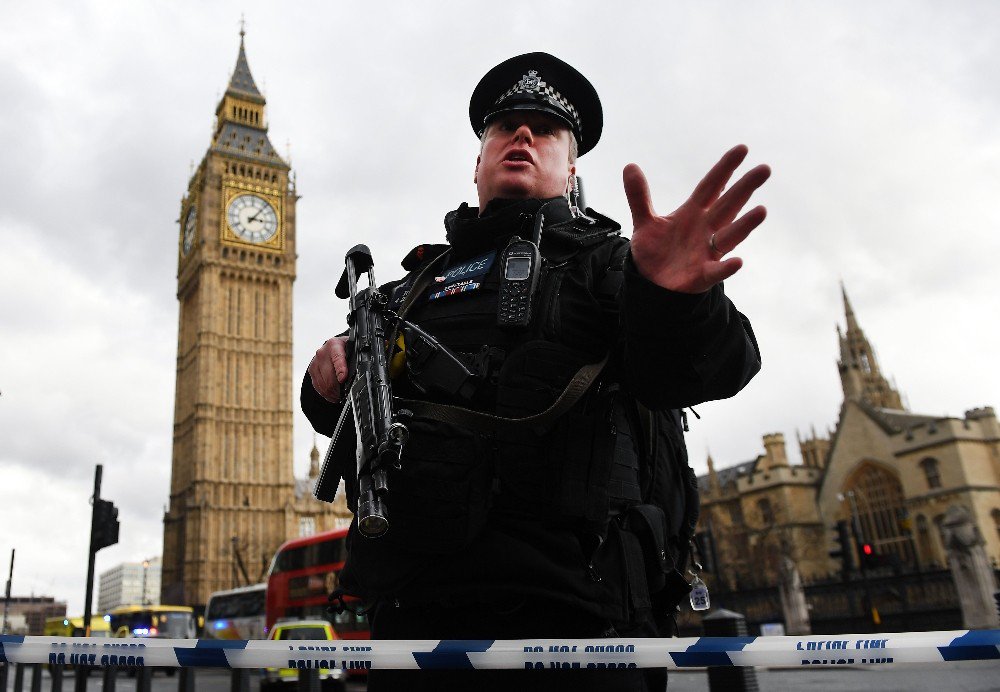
860 376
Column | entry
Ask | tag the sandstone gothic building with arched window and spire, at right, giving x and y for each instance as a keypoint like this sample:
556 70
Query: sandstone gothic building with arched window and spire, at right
890 471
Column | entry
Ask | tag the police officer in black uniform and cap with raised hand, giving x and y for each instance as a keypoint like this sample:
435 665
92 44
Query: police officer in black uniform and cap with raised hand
560 505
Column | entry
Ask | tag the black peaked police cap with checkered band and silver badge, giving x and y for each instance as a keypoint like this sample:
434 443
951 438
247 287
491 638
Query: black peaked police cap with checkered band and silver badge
539 82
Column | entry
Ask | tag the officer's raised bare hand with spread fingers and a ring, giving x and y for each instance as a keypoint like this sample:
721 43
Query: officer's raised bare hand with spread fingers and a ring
684 250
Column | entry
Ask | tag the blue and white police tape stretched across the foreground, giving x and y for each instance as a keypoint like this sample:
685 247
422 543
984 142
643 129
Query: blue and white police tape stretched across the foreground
674 653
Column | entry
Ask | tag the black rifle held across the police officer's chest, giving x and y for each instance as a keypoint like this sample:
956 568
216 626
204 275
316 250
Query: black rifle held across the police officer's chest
381 432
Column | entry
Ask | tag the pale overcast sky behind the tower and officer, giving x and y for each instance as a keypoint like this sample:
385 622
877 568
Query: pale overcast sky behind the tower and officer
880 121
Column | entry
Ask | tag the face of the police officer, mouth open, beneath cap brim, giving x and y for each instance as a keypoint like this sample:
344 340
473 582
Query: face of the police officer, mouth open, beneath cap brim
525 154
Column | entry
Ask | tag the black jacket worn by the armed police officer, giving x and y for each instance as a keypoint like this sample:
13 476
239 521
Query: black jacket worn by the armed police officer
489 517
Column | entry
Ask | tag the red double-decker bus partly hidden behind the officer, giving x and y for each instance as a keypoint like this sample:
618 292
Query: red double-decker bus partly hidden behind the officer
303 573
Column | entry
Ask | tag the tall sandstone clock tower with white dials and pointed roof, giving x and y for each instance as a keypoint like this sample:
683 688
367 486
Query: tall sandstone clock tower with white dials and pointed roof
232 491
